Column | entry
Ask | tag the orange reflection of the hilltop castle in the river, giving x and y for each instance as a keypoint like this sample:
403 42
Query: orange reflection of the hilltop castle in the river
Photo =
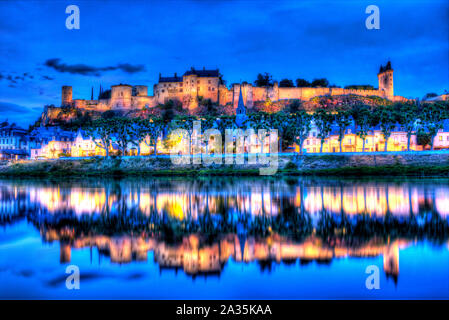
195 258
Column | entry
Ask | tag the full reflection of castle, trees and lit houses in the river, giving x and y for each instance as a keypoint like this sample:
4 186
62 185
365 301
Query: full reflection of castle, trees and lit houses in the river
198 225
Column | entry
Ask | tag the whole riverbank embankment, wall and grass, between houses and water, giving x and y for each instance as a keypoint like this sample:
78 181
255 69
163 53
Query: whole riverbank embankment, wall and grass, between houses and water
426 163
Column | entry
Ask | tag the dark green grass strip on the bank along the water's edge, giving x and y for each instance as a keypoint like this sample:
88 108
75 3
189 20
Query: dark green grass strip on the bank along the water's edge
122 168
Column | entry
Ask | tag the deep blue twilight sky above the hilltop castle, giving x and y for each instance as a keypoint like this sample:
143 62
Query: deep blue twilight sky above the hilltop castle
132 41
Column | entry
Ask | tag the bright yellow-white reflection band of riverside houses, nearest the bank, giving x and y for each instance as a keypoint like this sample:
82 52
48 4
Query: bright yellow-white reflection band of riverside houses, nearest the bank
184 198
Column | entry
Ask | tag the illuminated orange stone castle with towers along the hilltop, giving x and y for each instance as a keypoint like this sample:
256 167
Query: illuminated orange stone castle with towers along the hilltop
209 85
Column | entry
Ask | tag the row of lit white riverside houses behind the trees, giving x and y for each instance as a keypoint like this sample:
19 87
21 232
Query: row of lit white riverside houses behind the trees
53 142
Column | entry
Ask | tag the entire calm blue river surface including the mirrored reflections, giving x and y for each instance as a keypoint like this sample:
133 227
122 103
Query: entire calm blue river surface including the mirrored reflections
225 238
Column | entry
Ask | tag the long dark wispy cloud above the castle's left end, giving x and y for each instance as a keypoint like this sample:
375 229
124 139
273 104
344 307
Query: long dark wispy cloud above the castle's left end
87 70
